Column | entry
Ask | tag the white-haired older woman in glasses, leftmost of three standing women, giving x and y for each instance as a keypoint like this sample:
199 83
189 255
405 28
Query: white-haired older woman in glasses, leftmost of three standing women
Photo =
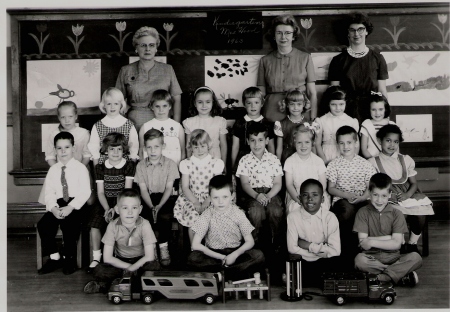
140 79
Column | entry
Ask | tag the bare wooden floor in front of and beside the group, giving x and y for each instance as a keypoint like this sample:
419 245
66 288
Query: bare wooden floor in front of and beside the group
27 291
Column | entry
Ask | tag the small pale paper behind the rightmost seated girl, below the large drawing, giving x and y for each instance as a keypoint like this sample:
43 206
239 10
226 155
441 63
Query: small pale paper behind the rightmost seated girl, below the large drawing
416 128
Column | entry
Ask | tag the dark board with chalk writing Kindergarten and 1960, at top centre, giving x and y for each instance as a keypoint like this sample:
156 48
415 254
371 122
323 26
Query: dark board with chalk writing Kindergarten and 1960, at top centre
234 30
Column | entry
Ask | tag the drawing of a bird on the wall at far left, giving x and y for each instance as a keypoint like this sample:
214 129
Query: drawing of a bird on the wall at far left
50 82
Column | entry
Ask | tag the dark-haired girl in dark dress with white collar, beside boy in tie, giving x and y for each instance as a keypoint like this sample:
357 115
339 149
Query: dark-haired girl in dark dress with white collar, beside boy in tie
112 176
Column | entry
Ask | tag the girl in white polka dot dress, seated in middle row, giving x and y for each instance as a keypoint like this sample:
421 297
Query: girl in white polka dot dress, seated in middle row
196 172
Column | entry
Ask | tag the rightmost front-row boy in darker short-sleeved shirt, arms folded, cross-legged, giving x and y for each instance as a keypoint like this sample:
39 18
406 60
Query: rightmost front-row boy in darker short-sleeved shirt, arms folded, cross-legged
380 229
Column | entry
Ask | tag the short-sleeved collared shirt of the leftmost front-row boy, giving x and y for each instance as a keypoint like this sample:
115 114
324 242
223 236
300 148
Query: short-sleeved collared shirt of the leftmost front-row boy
129 243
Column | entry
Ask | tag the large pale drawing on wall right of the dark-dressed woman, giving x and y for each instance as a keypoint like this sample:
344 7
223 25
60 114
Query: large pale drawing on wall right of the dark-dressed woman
418 78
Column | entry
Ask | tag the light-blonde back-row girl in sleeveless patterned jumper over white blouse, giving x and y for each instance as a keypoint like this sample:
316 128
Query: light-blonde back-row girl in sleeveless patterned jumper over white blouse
114 106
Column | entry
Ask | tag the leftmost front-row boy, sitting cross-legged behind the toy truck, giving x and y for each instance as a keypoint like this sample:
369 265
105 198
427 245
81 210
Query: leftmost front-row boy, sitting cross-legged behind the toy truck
129 244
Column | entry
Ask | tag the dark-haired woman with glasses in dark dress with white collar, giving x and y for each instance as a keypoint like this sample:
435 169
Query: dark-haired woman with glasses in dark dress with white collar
358 69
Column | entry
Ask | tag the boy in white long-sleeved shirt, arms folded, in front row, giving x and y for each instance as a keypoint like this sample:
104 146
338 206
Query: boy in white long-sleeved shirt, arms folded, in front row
313 233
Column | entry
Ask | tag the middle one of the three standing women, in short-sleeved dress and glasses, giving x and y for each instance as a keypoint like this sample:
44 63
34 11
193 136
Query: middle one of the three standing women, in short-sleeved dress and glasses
285 68
